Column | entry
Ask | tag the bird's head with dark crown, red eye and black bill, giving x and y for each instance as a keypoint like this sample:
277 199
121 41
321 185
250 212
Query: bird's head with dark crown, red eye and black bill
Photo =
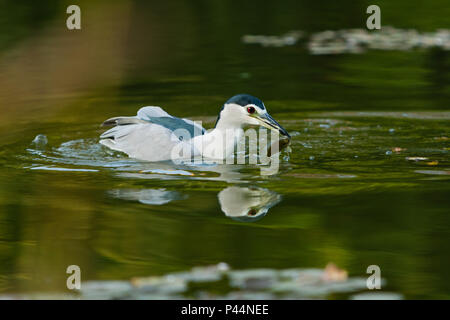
244 109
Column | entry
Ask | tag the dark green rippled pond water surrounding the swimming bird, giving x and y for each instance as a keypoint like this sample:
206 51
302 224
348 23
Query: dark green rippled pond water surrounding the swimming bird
366 182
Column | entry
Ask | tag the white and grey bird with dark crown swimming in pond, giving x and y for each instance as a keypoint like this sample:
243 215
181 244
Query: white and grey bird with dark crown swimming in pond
154 135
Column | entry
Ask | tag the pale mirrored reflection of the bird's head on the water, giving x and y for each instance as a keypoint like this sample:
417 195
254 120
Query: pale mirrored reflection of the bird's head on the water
247 204
